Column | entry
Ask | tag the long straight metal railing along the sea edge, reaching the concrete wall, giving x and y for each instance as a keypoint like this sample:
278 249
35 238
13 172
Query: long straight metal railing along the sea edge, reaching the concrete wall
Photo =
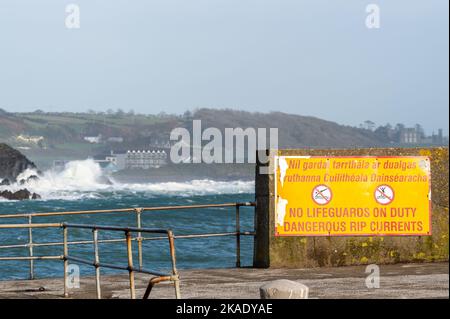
138 238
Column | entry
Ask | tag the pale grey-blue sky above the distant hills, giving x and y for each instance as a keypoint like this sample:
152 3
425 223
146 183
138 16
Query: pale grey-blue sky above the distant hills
310 57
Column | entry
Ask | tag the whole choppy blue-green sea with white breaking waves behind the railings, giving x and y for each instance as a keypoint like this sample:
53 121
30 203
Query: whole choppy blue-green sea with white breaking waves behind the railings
82 185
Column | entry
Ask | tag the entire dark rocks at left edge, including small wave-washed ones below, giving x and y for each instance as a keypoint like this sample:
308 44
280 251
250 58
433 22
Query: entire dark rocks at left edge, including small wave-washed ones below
12 164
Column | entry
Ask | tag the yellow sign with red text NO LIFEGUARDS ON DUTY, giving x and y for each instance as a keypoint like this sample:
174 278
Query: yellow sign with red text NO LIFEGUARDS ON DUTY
352 196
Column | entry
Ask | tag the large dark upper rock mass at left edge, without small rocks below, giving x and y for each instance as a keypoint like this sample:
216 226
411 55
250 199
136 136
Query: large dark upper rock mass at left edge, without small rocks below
12 163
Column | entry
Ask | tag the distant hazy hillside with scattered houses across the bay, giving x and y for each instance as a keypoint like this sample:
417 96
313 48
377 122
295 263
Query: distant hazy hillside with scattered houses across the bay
44 137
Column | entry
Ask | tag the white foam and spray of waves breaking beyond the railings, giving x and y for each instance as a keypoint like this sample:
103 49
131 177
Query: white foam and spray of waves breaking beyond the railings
85 180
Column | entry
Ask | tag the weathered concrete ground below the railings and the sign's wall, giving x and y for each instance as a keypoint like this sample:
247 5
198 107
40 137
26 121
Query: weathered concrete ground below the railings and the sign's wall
425 280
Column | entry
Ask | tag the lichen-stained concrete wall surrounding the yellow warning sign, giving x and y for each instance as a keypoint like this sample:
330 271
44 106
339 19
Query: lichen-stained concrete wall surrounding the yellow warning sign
277 252
